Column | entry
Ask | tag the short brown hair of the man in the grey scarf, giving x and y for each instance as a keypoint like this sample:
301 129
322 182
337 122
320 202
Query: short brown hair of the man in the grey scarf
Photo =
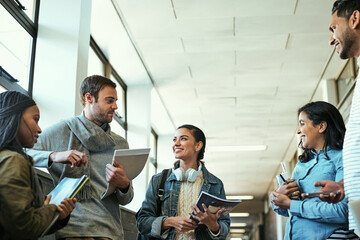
93 84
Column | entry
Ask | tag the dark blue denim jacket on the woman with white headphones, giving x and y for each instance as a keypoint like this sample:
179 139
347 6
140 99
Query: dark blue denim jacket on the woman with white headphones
149 223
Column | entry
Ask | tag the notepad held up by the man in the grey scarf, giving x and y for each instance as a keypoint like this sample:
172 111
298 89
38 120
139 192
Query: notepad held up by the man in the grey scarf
132 160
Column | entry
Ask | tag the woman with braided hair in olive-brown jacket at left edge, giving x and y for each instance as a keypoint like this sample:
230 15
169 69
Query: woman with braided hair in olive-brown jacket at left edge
23 213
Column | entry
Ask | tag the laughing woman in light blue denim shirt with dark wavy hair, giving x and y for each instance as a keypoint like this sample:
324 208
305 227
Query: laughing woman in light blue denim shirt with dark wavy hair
321 129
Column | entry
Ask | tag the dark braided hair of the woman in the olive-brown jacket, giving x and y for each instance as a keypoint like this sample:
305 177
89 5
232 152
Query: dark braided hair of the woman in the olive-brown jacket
12 106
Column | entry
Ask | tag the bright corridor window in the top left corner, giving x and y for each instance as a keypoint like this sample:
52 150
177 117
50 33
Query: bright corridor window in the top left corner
18 28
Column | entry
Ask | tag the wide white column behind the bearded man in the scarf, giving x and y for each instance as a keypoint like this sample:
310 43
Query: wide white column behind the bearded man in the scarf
61 58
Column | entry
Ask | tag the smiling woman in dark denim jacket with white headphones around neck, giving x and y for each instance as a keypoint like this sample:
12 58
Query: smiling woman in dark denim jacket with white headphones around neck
182 188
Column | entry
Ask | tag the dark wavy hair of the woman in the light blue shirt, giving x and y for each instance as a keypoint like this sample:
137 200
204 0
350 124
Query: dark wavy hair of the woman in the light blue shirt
334 134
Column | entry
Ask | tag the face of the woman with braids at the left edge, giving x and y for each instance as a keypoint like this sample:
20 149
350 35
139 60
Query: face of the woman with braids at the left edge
29 129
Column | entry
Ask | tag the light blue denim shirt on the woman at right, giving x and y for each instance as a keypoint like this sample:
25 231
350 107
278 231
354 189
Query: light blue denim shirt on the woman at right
312 218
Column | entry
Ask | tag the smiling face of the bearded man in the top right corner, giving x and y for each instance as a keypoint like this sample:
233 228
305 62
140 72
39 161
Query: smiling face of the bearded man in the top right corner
342 36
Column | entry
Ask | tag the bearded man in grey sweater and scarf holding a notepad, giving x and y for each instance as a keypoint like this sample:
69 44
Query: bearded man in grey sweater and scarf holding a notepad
85 145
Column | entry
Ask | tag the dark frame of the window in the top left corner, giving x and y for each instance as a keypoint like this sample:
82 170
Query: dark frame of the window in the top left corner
31 27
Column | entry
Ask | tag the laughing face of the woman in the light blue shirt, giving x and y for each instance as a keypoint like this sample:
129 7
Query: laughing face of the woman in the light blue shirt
312 136
